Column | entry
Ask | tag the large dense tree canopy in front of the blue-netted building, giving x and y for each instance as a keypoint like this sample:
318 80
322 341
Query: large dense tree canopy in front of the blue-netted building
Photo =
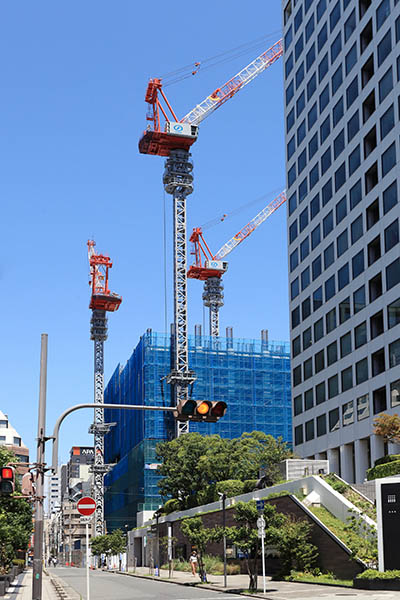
193 464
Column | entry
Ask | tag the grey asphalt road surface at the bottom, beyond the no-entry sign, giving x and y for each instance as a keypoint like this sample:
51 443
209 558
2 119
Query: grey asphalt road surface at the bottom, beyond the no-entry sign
106 586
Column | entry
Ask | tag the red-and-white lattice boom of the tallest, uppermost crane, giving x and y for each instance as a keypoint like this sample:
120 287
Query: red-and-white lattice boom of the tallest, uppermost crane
229 89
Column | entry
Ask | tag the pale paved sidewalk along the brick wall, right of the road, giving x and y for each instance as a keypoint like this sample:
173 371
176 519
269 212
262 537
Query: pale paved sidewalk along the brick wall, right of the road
275 590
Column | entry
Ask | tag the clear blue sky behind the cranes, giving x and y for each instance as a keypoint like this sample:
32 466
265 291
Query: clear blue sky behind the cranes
73 79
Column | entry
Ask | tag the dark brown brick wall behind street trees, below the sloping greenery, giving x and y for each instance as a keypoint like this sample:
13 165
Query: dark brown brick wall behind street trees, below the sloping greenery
333 556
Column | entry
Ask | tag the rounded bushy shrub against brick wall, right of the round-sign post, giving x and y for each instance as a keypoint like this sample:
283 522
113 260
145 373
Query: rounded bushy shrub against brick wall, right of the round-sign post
293 541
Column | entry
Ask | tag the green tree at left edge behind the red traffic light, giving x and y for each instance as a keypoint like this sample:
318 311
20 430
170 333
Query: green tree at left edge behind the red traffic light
15 520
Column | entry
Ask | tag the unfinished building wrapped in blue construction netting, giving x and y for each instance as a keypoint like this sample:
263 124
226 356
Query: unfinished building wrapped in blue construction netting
251 376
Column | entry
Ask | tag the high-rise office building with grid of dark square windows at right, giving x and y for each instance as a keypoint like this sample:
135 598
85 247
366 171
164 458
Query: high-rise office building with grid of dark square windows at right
341 74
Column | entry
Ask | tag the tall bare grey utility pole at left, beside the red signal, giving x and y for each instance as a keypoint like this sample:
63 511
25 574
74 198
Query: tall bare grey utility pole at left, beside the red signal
40 470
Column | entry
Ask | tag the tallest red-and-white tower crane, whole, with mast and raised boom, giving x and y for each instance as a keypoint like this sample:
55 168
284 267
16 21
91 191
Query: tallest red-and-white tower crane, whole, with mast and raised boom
174 142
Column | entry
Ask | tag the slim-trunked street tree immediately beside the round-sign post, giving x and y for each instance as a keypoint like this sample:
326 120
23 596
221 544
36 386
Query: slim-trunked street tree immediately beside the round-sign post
244 534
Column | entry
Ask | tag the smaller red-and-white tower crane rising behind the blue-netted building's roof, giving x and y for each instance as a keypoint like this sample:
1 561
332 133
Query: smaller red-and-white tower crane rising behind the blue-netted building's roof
210 267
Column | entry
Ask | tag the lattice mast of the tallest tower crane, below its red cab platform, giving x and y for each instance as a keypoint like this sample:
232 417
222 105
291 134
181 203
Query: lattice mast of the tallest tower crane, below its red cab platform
178 181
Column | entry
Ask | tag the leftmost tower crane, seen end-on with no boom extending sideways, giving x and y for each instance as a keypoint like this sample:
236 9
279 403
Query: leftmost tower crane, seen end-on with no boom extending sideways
101 302
